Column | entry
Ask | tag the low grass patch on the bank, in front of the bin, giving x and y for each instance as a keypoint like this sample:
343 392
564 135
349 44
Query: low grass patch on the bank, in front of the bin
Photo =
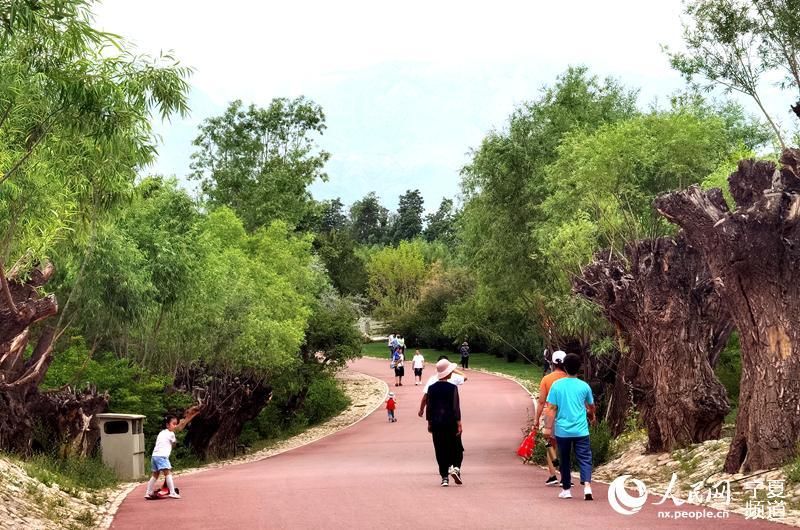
72 474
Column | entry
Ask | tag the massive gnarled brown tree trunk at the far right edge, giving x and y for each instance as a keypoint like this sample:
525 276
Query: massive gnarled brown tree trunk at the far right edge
754 254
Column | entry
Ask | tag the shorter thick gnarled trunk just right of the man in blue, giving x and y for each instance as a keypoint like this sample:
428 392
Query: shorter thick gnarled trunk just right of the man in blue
665 304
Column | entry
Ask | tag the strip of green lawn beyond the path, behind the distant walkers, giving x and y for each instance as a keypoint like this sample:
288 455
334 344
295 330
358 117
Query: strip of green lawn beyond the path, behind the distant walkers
530 374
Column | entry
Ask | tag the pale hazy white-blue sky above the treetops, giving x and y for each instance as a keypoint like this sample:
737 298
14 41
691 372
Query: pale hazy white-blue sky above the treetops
408 88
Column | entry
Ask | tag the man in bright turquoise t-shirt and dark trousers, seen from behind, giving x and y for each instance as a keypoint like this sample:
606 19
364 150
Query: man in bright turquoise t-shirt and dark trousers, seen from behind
571 404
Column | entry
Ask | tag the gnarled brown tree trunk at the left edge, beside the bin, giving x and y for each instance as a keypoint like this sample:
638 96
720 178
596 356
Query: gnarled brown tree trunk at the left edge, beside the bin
64 418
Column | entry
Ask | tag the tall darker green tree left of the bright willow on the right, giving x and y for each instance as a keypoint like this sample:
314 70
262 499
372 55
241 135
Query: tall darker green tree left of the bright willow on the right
505 185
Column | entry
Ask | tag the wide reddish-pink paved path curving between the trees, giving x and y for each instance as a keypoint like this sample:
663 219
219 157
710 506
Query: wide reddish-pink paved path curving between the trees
378 475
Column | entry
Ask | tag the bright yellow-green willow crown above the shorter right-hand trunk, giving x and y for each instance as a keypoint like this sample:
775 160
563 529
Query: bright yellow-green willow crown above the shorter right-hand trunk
603 182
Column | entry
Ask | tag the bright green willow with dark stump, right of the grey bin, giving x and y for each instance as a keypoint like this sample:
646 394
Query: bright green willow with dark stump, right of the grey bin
240 326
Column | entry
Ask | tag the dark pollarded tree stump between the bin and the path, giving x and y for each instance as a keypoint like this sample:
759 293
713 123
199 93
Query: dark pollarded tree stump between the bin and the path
228 401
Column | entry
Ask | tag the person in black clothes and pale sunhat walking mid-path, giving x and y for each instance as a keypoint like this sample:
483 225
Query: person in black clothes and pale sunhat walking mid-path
444 423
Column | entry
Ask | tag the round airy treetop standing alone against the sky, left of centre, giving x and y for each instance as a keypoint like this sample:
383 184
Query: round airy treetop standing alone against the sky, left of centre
260 161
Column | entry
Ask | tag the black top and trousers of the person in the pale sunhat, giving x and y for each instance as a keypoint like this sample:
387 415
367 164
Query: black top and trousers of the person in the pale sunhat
443 414
